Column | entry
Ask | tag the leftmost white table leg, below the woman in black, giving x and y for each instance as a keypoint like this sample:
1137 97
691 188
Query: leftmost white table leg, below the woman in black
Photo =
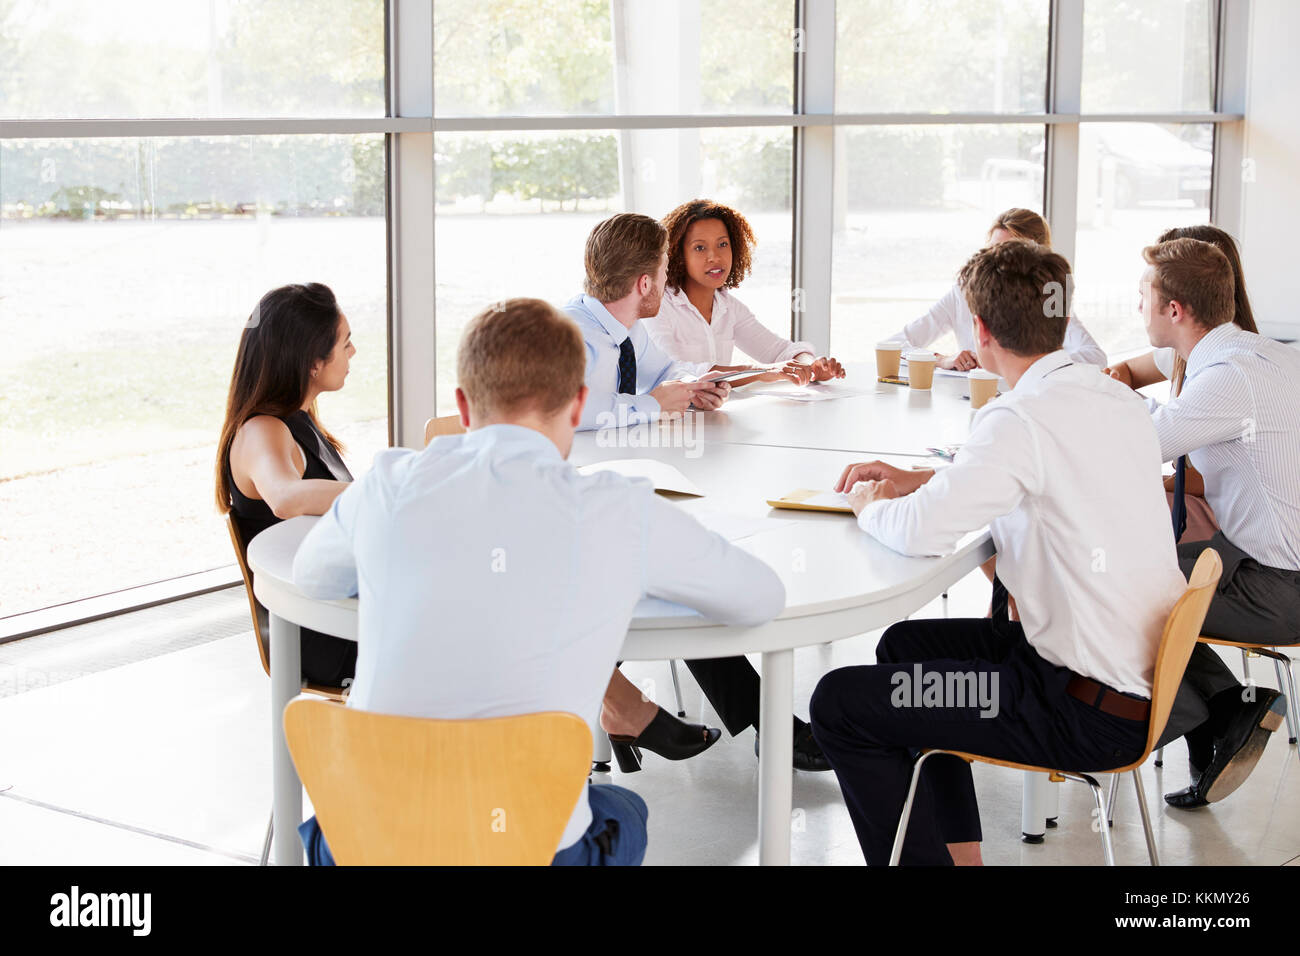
287 684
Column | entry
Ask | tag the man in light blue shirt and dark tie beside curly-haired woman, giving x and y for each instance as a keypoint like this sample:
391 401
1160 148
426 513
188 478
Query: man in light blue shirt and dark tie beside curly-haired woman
631 380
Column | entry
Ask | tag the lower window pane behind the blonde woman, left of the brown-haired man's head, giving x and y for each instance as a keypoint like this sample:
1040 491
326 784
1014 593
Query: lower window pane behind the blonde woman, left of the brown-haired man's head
912 205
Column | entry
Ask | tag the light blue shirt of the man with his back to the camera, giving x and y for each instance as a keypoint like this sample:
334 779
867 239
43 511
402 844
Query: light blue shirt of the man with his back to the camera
495 579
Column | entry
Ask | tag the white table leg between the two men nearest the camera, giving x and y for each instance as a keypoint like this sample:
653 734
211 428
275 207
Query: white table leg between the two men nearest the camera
775 755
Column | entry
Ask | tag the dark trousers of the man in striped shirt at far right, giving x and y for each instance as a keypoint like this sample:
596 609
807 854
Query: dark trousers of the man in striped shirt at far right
1254 603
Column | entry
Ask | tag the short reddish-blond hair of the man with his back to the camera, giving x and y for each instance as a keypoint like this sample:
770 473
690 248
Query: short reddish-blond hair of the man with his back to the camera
521 356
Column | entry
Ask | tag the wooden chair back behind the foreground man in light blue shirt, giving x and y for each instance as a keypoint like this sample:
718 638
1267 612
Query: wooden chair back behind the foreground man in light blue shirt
408 791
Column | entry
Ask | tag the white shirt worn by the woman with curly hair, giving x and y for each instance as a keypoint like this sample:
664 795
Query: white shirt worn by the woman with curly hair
687 336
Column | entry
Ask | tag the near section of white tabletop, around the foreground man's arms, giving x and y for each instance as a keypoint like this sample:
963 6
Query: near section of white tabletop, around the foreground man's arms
825 561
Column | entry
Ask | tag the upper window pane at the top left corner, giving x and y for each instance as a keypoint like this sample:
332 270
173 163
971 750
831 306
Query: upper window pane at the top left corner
88 59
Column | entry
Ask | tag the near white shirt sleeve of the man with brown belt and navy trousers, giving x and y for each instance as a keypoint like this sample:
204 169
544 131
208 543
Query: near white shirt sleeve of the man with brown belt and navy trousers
990 478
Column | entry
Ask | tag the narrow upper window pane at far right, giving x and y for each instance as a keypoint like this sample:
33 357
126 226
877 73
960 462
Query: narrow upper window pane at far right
1149 57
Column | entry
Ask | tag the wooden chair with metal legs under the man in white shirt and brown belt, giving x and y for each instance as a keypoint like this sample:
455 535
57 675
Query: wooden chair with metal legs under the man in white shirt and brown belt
1176 648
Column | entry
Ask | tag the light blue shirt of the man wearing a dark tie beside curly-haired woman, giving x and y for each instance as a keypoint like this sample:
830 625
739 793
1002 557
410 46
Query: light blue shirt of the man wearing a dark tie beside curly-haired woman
604 336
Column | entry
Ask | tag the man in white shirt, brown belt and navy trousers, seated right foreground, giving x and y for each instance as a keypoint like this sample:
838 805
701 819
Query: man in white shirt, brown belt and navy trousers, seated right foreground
1064 470
